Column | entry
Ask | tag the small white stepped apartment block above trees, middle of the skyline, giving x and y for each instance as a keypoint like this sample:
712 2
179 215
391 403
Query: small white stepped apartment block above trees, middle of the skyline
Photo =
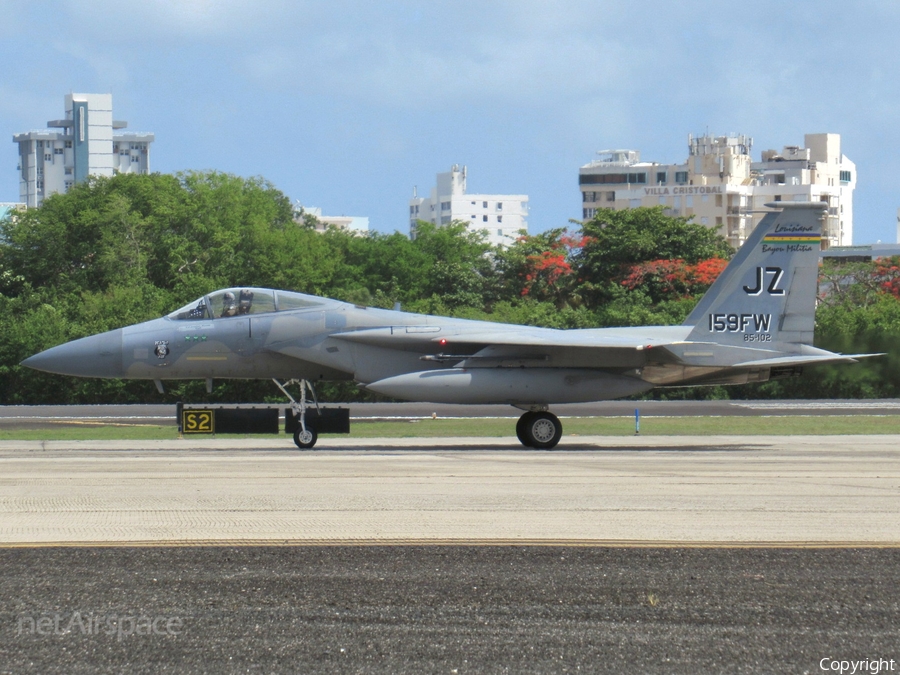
501 216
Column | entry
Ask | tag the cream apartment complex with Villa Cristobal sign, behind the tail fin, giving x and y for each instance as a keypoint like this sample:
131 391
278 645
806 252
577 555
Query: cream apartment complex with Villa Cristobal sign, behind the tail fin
720 186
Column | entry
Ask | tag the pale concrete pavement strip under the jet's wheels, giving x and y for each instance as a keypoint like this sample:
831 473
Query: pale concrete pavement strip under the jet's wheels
632 490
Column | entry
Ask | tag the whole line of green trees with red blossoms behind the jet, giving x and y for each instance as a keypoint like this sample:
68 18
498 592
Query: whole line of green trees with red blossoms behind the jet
116 251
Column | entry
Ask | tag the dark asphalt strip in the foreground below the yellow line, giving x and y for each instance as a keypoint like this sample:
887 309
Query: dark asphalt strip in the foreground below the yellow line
447 609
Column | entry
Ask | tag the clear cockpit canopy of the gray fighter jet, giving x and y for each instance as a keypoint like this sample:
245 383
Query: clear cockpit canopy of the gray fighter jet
241 301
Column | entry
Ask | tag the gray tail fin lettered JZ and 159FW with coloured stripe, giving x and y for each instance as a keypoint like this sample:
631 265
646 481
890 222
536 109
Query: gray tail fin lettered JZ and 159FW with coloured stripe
767 293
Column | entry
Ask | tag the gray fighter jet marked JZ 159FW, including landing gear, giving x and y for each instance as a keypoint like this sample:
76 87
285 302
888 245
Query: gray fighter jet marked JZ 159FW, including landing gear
755 323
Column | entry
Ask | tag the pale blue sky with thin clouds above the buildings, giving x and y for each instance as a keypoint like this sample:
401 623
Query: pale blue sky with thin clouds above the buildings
347 105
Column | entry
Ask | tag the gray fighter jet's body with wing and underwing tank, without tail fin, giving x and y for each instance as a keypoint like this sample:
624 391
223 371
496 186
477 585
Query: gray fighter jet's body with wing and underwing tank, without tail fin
278 334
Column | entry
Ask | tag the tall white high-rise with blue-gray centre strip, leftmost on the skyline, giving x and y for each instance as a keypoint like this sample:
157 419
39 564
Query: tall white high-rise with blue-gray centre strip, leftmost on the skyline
87 142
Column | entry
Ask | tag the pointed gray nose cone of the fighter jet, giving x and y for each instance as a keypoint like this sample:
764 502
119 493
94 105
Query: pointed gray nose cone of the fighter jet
94 356
